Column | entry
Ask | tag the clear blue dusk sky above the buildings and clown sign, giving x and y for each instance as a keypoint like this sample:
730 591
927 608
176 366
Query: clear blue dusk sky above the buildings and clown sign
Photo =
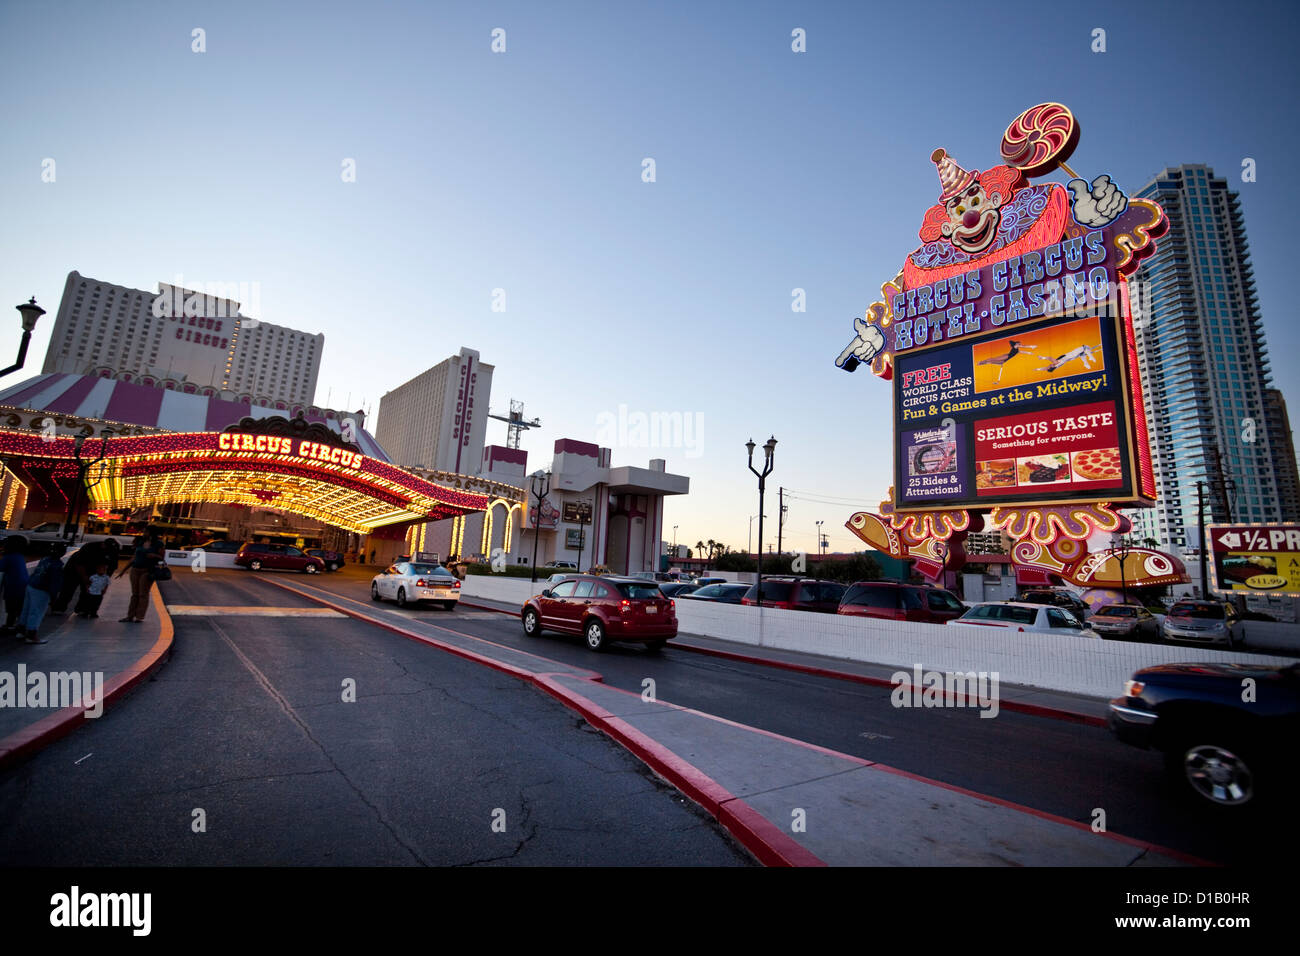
525 172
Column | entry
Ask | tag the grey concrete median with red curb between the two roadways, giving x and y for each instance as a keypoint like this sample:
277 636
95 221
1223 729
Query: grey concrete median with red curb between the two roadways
788 802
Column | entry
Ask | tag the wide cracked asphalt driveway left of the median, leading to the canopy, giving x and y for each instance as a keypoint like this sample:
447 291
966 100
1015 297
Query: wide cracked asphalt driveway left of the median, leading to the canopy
439 762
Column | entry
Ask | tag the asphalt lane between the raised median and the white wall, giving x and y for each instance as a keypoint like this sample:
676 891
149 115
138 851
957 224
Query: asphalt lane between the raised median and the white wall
1067 769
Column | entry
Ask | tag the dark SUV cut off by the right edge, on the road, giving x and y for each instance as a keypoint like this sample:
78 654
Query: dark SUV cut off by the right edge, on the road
1221 745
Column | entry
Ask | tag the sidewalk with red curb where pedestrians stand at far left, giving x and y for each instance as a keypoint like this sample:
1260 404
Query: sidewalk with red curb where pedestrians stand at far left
119 655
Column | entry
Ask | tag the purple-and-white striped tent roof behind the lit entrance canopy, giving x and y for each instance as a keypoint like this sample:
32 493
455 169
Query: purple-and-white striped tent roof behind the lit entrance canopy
164 404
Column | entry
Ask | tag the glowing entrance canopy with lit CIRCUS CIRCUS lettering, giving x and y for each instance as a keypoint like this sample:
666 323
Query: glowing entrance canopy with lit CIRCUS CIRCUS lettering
315 479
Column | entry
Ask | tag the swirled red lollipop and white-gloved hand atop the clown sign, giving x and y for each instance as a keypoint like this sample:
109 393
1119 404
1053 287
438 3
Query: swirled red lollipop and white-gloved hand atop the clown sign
1042 140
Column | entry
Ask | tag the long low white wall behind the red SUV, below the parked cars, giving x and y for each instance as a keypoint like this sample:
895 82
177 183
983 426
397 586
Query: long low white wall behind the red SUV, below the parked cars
1078 665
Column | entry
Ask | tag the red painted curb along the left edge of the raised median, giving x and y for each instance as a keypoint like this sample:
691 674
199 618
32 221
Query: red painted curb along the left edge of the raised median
755 832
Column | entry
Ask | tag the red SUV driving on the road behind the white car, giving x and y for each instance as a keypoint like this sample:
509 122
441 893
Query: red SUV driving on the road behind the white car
604 611
